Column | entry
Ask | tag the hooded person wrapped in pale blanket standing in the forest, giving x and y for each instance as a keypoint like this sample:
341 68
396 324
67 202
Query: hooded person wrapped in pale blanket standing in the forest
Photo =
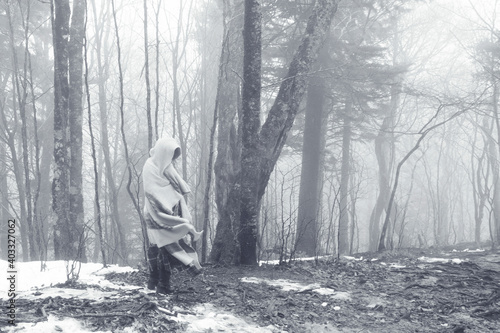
167 217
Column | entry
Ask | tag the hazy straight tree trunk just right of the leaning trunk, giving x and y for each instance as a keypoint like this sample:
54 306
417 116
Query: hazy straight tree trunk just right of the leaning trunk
309 193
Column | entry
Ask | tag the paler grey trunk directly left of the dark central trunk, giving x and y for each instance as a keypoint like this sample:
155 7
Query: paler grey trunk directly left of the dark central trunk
225 248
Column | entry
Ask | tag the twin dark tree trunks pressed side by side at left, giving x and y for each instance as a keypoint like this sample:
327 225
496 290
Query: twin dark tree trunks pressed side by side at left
67 179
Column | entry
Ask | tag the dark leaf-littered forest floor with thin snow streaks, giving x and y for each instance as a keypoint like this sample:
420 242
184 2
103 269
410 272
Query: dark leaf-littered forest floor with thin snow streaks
403 291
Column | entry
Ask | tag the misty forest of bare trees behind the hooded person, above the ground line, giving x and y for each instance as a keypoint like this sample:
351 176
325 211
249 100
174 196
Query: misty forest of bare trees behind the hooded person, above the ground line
307 128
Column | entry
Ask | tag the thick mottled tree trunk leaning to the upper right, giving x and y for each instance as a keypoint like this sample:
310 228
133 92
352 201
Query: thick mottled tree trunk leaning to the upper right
273 134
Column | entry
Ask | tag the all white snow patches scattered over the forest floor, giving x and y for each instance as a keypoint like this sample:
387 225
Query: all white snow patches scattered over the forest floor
34 283
